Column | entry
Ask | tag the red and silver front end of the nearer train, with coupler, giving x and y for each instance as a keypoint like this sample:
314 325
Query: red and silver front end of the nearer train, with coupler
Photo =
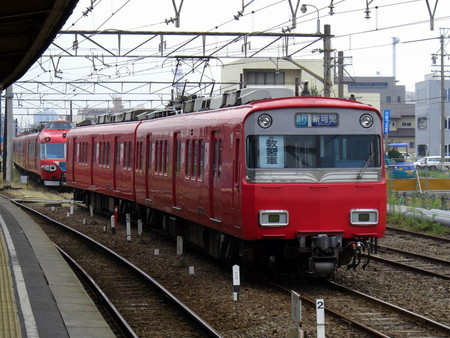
313 179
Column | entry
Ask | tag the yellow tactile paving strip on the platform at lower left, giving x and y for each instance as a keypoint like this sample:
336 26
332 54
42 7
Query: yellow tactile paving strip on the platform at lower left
9 319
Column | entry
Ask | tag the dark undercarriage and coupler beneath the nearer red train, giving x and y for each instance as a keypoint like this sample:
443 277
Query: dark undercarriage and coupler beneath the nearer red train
307 256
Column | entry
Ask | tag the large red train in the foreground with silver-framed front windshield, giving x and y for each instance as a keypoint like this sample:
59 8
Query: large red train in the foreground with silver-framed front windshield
297 183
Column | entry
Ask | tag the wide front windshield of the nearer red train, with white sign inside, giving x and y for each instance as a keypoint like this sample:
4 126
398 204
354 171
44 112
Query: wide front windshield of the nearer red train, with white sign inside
313 151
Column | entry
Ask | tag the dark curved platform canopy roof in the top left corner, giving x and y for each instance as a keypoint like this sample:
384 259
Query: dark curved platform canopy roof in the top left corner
27 27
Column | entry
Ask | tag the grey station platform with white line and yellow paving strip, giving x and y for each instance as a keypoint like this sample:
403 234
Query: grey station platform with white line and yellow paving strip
40 296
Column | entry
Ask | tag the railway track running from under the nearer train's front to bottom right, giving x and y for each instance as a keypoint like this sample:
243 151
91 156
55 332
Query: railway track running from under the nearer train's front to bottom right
370 316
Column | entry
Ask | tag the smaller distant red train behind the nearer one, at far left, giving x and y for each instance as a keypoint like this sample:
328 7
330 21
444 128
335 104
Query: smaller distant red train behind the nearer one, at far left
42 154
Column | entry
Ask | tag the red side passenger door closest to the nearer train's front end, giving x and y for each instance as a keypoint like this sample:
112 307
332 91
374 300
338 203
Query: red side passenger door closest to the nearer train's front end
215 173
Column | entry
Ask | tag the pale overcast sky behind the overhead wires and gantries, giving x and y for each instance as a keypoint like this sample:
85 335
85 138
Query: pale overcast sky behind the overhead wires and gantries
363 29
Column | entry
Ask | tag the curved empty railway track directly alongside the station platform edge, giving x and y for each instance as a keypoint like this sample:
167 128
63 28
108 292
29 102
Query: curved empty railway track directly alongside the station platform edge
148 308
